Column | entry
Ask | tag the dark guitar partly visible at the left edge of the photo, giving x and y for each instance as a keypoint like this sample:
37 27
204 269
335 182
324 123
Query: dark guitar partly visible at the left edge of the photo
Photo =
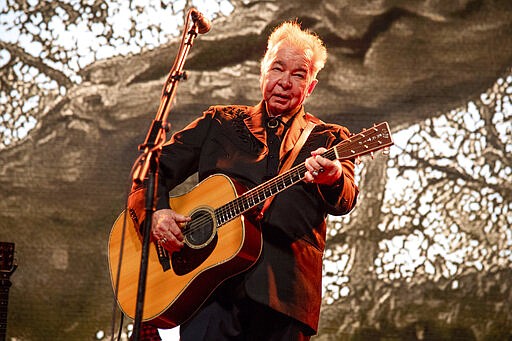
7 267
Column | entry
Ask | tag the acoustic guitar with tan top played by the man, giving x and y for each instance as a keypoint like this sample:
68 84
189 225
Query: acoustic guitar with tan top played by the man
219 241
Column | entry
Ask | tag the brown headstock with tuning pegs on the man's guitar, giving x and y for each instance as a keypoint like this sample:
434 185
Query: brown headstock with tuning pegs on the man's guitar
366 142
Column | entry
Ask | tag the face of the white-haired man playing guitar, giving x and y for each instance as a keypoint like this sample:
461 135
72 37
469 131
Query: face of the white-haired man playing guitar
286 80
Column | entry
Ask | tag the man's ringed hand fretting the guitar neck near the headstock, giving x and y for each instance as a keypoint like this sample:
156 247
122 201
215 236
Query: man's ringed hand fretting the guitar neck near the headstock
321 170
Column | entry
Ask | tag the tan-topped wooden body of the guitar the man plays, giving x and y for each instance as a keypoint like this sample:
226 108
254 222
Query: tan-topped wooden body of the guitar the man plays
174 295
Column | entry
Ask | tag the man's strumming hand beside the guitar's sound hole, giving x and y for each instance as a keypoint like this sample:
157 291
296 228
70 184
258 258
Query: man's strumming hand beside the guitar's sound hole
166 229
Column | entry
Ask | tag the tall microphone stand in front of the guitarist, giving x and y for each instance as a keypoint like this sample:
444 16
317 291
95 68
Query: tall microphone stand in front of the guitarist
147 168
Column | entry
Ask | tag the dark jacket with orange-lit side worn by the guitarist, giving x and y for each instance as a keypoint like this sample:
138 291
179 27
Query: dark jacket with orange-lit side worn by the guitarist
232 140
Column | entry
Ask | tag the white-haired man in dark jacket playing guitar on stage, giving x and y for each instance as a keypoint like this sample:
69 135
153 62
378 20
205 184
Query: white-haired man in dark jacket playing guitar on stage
279 297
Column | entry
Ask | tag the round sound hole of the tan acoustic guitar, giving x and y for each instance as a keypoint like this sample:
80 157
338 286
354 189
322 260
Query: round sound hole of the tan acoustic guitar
200 230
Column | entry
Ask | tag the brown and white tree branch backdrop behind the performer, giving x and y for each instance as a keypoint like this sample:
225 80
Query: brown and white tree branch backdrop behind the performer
427 253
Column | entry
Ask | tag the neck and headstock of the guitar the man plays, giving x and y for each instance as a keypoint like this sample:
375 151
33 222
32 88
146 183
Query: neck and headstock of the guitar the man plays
368 141
